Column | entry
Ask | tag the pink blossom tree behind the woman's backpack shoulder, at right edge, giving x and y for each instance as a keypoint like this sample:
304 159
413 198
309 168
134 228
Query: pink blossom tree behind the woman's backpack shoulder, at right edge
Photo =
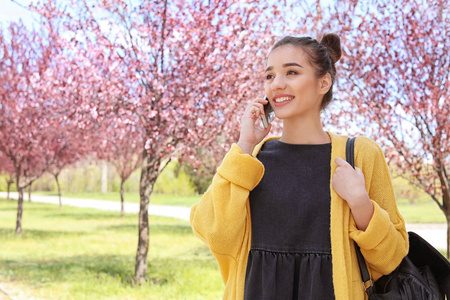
397 71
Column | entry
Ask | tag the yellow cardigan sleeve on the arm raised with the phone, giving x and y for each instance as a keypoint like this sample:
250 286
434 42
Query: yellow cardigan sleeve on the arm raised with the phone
220 215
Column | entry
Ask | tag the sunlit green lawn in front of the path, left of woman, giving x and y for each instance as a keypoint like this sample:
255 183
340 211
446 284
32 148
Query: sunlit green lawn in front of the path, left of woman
89 254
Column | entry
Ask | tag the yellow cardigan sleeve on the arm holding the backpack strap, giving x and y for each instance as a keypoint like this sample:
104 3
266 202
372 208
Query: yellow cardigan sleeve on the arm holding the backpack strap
385 241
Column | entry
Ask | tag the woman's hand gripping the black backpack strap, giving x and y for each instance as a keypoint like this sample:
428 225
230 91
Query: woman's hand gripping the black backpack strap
350 185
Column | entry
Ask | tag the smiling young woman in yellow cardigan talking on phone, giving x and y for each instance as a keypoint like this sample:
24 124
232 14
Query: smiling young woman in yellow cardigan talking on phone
282 214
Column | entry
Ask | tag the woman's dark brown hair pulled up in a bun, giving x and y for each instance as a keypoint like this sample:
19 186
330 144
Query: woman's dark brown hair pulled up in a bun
322 56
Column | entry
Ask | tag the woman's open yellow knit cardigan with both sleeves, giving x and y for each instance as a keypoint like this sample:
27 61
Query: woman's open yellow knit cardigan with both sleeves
222 219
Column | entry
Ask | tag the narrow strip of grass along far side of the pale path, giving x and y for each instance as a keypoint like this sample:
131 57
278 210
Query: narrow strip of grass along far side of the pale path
161 199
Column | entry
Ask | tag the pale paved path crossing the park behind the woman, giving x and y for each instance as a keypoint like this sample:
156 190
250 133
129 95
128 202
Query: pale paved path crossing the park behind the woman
435 234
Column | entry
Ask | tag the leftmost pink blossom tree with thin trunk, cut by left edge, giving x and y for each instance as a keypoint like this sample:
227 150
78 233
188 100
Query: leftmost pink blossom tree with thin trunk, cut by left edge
39 103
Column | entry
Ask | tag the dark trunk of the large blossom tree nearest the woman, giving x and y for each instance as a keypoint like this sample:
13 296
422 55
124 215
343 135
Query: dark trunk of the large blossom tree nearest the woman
149 174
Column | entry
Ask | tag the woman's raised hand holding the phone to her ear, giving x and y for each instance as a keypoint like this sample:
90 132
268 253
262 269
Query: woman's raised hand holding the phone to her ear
252 131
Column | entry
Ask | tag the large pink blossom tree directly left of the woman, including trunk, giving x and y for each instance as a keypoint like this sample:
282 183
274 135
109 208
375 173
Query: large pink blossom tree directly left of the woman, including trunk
183 70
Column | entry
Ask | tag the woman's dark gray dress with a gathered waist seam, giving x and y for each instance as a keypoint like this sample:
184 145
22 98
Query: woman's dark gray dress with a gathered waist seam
290 256
